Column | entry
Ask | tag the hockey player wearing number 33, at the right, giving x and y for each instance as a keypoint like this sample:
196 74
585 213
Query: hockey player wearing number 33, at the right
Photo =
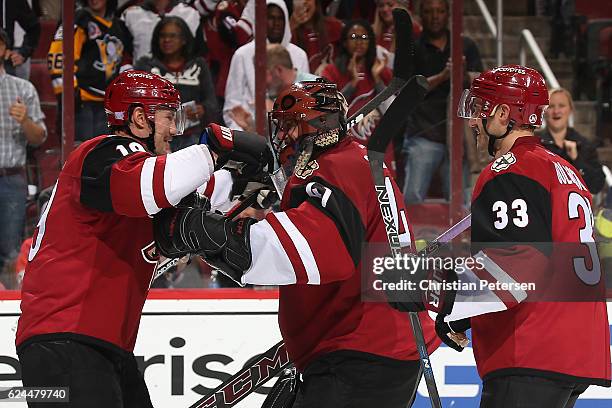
529 352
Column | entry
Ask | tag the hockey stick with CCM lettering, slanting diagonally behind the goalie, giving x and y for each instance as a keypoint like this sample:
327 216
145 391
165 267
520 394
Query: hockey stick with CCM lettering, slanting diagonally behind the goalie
276 359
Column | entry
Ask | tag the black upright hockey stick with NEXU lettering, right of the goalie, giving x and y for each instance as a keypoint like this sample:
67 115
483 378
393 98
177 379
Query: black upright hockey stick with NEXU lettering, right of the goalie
390 124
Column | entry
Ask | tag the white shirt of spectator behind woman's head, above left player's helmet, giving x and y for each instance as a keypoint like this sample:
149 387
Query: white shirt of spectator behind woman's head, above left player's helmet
141 20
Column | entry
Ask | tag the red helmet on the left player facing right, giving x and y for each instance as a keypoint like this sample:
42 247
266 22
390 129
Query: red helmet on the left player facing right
139 88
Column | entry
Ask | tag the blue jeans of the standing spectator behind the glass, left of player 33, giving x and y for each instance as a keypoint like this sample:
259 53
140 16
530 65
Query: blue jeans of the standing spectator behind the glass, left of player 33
422 159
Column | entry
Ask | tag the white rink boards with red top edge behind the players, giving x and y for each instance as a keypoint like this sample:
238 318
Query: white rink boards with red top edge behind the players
189 341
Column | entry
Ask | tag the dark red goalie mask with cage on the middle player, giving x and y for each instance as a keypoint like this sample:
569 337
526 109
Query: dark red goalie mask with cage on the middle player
307 118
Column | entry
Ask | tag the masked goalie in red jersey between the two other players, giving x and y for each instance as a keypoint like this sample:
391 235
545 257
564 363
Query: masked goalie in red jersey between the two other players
351 353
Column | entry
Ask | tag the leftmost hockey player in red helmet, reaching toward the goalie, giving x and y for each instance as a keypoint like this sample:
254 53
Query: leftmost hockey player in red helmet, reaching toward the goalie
93 256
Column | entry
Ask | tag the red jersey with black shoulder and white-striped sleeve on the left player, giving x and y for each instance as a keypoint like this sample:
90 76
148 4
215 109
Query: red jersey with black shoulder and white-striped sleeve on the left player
93 256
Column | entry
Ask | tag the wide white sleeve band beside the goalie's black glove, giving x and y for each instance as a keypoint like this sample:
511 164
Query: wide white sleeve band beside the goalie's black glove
271 264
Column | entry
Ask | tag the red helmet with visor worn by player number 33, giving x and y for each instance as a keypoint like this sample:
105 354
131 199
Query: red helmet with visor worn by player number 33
523 89
